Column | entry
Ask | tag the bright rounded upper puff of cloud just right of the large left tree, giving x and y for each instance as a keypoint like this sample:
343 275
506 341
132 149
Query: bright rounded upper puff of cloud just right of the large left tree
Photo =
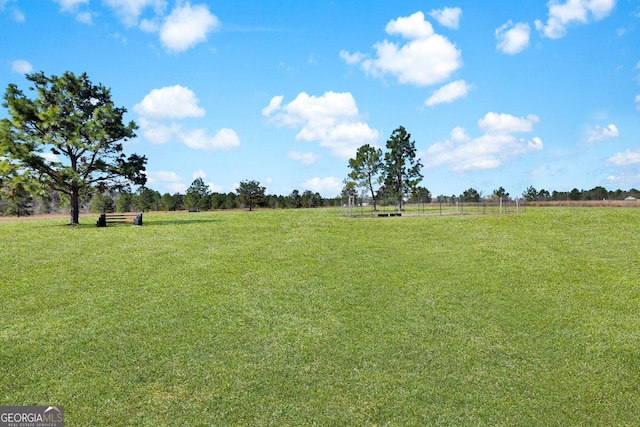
172 102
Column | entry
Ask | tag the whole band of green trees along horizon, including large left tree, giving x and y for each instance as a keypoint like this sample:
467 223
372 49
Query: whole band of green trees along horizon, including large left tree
62 150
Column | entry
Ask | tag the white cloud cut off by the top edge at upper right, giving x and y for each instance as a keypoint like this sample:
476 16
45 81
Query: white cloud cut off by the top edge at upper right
562 15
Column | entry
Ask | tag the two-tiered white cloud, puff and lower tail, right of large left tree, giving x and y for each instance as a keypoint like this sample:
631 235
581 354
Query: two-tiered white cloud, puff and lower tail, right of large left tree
160 108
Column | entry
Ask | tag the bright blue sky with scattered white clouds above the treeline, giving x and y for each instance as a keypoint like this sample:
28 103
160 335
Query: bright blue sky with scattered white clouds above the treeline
513 94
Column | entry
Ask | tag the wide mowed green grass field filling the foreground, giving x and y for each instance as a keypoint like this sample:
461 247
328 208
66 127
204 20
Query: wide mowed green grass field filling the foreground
302 317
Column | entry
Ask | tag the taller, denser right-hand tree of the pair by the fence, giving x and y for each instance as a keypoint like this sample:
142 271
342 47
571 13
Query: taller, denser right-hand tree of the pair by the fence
401 168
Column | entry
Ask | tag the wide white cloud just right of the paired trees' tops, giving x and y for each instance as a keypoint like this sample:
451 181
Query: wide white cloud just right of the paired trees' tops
497 145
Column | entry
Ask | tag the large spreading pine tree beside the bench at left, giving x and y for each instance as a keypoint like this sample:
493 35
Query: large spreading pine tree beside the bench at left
68 137
